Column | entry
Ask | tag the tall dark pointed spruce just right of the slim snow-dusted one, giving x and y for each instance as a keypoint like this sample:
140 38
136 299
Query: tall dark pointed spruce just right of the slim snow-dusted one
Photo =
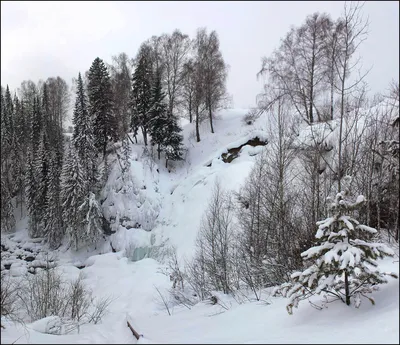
101 106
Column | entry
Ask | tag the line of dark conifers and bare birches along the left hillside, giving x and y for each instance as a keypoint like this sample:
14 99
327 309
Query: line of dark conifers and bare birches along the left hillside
58 179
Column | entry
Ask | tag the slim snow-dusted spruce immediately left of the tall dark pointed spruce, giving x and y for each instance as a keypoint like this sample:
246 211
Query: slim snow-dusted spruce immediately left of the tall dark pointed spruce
83 136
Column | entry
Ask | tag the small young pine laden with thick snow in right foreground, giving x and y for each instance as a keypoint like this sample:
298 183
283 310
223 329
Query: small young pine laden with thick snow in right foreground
343 261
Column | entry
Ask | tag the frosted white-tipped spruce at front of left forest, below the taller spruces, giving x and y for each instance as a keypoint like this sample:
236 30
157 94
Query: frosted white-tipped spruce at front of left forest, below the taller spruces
73 191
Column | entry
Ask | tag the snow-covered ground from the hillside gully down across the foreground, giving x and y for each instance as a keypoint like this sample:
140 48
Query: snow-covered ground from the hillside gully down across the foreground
171 203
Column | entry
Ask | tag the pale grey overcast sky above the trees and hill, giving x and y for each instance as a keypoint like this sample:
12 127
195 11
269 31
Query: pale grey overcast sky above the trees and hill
43 39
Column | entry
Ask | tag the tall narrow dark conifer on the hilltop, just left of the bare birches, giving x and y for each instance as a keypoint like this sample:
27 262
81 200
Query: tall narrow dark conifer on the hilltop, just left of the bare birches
141 101
